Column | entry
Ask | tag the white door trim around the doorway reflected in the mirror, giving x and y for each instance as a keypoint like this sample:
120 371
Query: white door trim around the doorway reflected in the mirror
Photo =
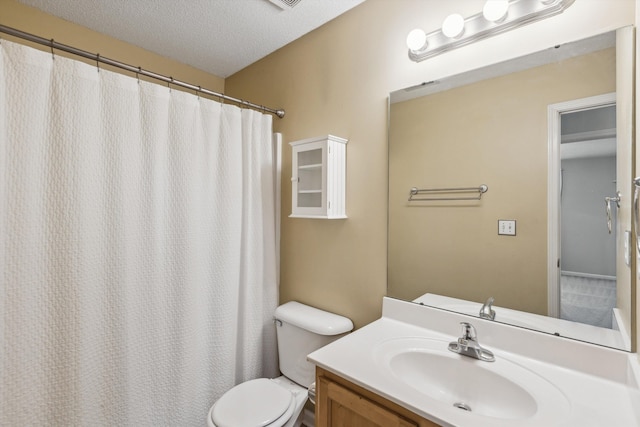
553 189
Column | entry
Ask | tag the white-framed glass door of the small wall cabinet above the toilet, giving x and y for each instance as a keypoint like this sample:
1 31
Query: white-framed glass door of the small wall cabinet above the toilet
309 180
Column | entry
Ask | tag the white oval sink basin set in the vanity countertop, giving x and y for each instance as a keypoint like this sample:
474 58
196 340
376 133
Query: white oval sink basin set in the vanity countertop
500 389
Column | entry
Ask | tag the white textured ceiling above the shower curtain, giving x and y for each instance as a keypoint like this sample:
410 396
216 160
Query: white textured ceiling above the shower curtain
217 36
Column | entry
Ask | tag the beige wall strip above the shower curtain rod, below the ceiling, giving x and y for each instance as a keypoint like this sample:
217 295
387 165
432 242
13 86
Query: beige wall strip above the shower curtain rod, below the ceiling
31 20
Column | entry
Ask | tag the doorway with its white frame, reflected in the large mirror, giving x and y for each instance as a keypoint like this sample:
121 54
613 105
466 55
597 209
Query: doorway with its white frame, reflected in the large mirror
590 133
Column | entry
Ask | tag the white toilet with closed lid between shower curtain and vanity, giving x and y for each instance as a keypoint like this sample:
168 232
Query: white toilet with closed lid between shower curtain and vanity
279 401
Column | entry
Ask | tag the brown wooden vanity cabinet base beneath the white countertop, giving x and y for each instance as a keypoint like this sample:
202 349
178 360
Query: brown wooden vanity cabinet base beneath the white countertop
340 403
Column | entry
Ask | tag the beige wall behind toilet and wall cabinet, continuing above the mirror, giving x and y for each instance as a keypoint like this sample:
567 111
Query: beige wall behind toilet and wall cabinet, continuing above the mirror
336 80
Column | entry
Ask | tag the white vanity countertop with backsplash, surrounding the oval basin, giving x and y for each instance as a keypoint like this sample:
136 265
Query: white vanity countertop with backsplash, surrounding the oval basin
598 382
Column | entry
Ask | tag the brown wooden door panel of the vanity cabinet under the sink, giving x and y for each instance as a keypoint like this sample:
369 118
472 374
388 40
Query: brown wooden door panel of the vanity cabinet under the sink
341 407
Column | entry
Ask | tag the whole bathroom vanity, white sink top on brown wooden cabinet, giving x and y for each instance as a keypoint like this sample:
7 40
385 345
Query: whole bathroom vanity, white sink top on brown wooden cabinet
398 371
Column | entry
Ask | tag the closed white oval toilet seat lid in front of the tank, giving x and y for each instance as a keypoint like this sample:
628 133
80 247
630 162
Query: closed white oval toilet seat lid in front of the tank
256 403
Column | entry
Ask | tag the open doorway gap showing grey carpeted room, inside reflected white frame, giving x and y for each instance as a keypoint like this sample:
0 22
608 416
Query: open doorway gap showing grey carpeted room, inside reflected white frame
588 212
